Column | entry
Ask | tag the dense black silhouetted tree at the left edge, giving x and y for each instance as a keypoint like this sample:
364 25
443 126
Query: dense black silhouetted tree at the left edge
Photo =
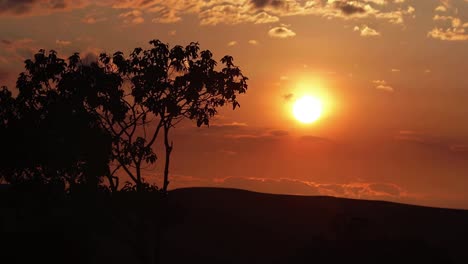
46 137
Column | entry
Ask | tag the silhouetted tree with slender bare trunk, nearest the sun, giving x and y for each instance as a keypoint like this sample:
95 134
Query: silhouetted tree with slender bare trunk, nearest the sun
166 85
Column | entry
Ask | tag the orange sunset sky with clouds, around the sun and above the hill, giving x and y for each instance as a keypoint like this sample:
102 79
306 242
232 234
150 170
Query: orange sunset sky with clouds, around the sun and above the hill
390 75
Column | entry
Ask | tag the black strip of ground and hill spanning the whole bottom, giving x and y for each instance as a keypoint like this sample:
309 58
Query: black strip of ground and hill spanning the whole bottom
216 225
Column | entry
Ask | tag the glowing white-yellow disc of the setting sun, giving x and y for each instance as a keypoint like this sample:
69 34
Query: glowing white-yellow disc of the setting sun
307 109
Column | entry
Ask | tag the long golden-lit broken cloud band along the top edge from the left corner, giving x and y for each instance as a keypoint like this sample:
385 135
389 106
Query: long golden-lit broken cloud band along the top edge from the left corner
216 12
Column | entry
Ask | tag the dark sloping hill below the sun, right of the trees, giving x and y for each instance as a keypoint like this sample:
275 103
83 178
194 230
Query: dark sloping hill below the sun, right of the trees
210 225
